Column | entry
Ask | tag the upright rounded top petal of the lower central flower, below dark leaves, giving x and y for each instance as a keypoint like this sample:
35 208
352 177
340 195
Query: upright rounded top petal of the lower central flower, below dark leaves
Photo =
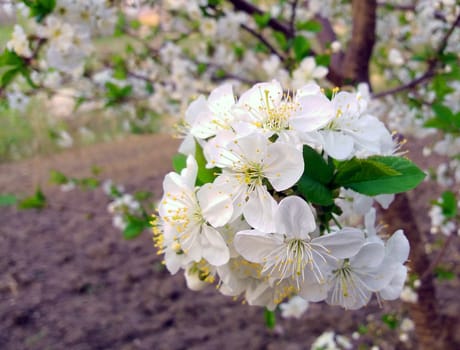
295 218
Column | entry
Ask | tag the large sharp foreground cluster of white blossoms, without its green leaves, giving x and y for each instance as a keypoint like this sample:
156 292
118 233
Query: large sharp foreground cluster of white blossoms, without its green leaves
247 226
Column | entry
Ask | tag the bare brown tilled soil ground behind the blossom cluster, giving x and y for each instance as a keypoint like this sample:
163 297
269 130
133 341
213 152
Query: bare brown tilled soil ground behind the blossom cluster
69 280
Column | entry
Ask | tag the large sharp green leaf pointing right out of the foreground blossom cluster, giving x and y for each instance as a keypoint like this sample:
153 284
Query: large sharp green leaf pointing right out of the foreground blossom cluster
378 175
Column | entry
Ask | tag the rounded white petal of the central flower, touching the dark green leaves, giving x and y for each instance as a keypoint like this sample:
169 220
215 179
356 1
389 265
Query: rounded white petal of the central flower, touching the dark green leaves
284 166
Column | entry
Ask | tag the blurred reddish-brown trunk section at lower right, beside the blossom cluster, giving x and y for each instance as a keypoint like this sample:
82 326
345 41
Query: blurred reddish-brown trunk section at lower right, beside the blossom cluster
431 334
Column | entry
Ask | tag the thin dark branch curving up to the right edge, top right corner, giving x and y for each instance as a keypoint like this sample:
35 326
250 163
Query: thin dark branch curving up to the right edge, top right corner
431 68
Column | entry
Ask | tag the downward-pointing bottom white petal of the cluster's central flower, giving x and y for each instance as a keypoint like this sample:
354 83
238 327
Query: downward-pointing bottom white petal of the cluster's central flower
259 211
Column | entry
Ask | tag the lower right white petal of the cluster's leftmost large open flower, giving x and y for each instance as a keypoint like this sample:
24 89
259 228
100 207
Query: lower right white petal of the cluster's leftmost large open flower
214 248
